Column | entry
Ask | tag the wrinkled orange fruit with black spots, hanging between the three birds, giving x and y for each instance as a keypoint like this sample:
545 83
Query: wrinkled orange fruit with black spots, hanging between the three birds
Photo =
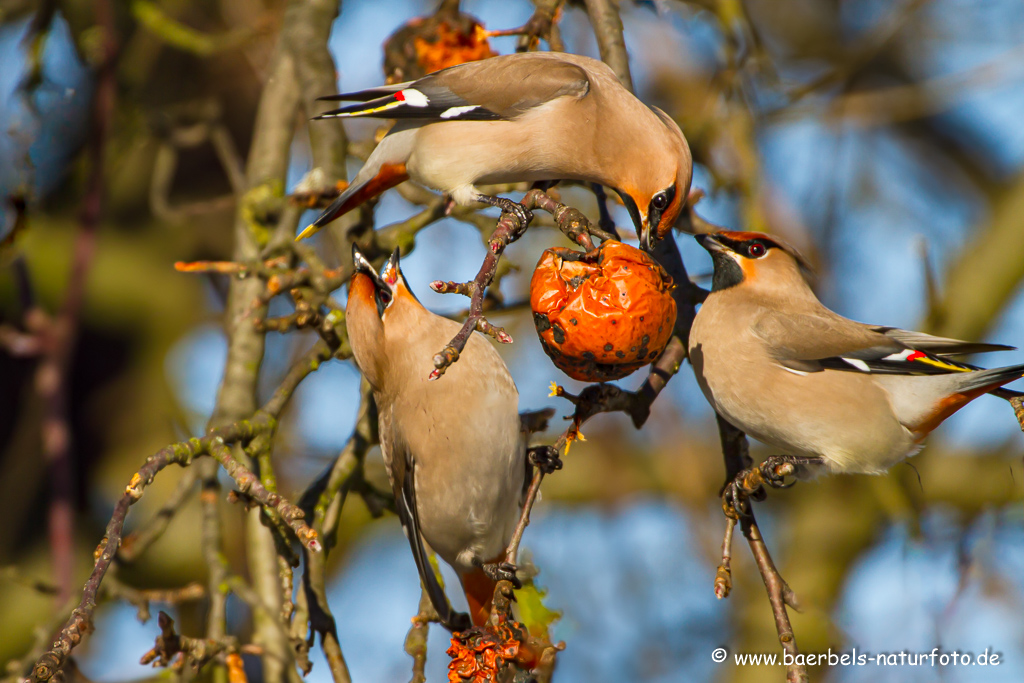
605 314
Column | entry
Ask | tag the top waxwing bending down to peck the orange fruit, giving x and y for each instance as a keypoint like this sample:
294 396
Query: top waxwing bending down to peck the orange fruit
525 117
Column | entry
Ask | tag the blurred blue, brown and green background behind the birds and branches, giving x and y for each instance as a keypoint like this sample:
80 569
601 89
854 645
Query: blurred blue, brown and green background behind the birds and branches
883 139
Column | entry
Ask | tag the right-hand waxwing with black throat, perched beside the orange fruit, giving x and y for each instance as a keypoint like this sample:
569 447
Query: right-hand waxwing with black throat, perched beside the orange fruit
832 394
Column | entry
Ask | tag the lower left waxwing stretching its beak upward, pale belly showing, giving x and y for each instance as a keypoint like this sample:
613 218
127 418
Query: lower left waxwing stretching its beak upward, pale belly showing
454 450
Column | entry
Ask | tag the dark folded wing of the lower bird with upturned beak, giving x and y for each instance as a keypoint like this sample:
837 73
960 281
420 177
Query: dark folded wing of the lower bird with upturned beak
403 469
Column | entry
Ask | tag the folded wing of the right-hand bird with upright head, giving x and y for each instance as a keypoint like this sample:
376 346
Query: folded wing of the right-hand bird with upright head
813 343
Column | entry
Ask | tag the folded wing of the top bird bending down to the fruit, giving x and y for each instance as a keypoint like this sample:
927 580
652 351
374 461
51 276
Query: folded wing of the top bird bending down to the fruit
500 89
